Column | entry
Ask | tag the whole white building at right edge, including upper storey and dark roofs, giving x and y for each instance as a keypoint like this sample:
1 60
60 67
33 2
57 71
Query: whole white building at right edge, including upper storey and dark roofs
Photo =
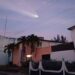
65 51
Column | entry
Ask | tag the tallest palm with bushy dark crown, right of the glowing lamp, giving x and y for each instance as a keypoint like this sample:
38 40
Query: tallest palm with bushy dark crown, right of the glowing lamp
34 42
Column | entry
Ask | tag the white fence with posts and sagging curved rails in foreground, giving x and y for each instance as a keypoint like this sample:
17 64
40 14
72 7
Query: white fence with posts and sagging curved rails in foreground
41 71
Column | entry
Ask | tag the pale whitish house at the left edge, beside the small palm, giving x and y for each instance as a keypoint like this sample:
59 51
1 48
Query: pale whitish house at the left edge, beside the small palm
4 41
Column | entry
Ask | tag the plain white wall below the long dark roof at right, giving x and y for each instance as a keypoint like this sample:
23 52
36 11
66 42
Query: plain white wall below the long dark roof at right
68 55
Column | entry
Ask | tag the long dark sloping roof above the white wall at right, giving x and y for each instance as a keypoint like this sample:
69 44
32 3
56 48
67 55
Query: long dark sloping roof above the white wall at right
63 47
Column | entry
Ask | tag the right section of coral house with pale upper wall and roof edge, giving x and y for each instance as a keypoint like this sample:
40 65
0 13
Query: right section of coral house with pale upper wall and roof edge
44 49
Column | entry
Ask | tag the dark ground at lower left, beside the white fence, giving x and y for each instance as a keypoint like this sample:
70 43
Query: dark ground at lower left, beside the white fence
13 70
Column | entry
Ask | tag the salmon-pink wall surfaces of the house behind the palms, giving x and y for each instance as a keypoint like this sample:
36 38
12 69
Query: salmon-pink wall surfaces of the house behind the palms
36 56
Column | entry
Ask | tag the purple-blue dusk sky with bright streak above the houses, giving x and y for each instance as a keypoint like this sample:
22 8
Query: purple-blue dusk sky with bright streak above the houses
45 18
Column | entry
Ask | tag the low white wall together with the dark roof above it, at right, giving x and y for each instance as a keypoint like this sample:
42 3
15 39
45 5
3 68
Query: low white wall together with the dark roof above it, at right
63 51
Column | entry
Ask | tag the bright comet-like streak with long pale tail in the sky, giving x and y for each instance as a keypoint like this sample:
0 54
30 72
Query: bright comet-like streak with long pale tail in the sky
22 10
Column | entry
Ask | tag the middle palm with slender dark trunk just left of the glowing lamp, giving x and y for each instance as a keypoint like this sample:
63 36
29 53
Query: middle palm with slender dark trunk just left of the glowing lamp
23 40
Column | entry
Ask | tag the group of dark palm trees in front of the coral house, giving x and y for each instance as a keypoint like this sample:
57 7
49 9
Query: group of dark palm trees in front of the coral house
32 41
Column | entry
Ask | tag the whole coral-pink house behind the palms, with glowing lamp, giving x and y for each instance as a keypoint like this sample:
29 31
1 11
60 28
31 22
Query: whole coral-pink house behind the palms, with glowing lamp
44 49
